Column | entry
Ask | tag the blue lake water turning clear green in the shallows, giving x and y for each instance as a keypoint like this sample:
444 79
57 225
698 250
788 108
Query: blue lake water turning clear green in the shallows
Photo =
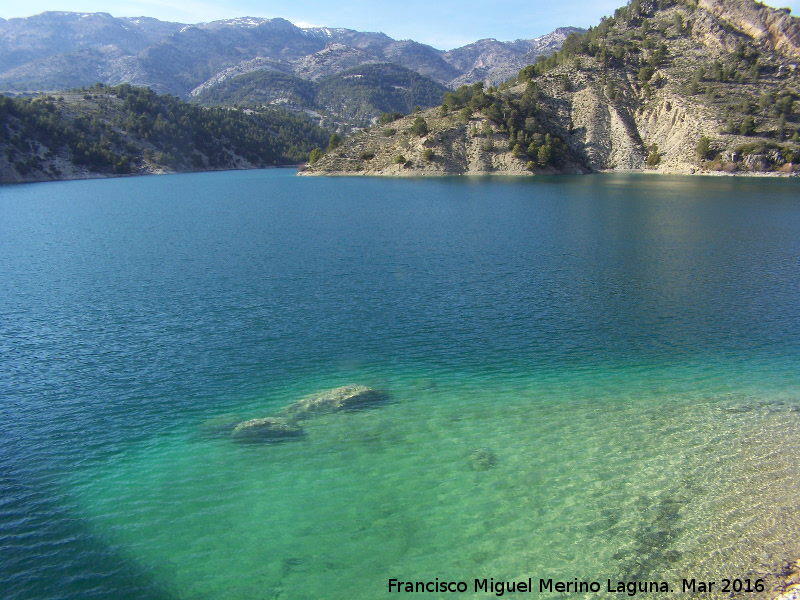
627 348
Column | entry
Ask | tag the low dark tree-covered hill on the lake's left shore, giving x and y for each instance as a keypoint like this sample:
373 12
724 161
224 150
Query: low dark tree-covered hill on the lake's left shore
126 130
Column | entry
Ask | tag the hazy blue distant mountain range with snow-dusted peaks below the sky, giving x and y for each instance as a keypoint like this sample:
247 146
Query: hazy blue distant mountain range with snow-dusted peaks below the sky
54 51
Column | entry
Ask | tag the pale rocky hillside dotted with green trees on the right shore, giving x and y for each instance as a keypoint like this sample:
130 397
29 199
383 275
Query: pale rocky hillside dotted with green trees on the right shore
670 86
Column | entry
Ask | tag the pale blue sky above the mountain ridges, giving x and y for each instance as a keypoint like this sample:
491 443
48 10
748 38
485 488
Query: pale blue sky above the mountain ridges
443 24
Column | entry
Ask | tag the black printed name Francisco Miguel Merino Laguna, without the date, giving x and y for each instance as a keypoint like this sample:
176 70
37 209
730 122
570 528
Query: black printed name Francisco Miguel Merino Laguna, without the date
498 588
